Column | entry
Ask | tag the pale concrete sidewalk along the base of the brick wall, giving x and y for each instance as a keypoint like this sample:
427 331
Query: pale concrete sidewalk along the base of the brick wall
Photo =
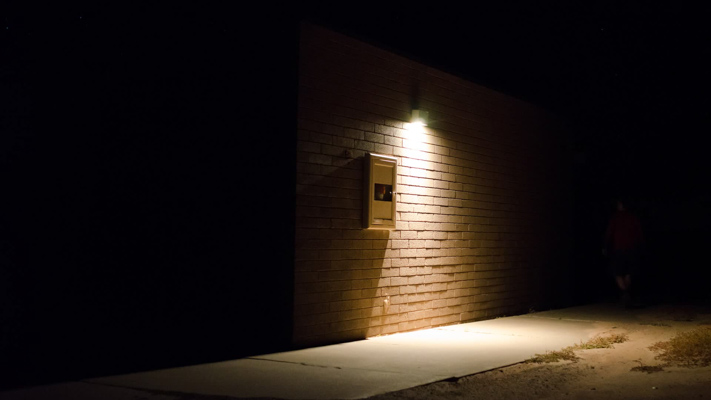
357 369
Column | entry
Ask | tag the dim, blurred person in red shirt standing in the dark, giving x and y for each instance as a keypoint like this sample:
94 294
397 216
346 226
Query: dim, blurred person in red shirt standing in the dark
623 241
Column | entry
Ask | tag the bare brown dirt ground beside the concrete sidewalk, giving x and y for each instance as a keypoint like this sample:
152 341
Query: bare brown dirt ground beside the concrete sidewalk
598 374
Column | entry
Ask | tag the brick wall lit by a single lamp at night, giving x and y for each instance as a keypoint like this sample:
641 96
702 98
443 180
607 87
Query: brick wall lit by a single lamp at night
483 198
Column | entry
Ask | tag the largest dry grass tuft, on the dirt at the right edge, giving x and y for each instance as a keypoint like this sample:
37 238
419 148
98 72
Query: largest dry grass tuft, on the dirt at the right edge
686 349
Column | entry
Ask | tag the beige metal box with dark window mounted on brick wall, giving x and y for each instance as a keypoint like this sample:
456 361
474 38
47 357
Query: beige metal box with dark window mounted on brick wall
380 208
